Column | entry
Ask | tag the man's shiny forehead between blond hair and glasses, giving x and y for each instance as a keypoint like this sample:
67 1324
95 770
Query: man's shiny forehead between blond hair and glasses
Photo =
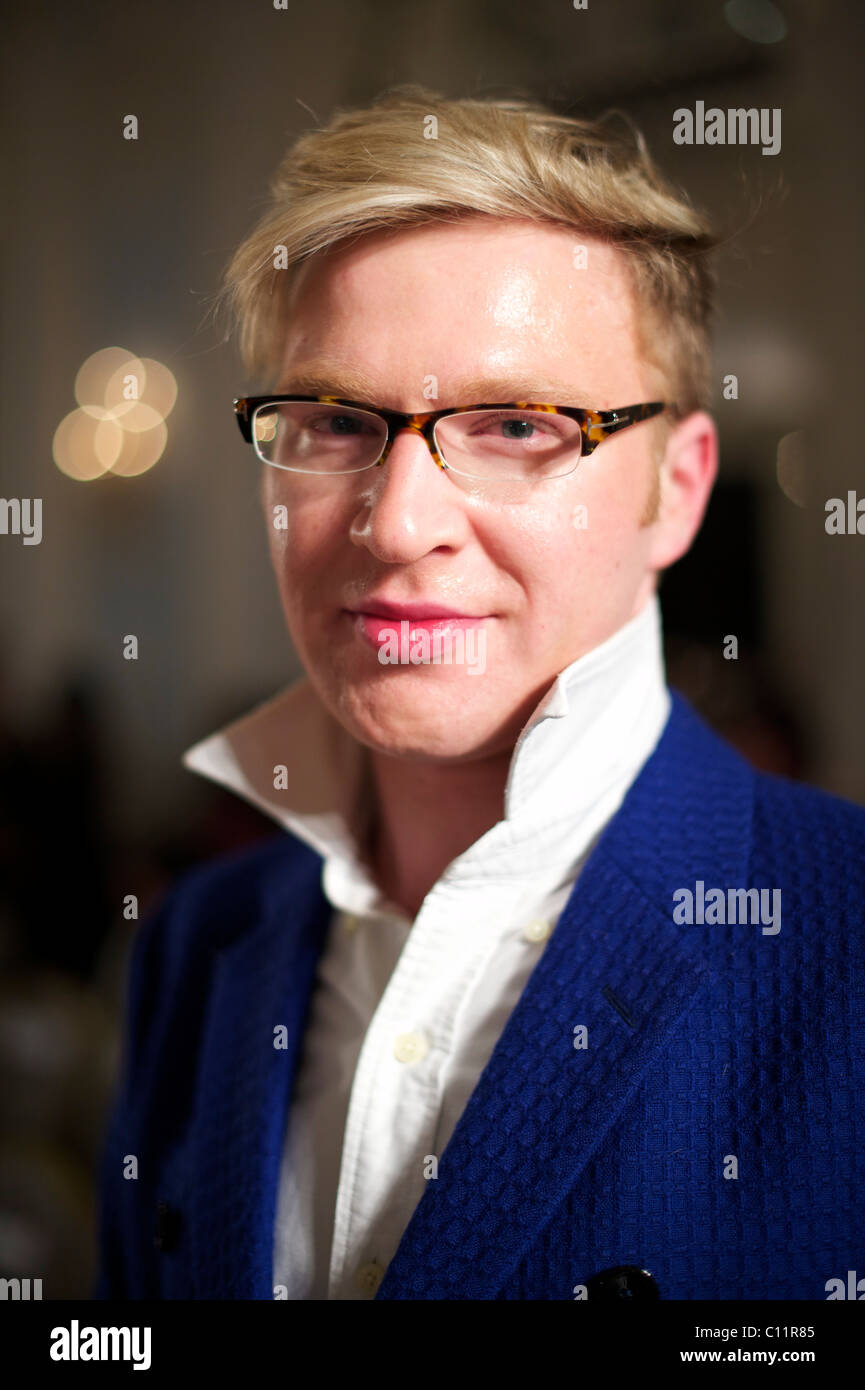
465 338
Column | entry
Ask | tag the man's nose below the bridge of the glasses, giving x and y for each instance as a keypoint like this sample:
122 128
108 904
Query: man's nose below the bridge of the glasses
410 507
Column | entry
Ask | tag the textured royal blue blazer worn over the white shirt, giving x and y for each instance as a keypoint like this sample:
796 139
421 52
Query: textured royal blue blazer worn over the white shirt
706 1043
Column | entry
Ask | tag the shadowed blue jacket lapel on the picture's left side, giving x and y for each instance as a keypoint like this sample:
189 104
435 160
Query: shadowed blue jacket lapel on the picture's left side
262 982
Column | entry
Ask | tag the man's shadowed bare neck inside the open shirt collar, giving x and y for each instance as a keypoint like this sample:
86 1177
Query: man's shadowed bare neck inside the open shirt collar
426 817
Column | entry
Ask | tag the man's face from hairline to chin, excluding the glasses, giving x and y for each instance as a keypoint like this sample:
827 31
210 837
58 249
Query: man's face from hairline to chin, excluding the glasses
550 571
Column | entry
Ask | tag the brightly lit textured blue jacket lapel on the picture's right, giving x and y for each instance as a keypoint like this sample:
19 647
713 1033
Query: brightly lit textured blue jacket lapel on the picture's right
617 965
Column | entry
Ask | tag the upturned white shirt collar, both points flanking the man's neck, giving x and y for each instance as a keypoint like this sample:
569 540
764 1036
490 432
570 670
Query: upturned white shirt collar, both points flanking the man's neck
597 723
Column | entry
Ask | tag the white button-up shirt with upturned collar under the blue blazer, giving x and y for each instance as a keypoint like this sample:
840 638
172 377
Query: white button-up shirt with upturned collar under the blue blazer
407 1014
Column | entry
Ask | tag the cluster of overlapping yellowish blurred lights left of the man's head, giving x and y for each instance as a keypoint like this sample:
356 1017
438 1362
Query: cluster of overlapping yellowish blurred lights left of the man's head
126 401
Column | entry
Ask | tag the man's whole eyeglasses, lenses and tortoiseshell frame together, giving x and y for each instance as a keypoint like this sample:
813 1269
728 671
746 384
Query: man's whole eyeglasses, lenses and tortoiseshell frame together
524 440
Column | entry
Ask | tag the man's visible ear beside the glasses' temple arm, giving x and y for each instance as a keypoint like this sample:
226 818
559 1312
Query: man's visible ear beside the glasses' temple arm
688 473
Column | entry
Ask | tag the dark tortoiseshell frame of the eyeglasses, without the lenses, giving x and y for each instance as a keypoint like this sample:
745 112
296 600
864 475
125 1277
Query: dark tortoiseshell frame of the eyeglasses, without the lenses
596 426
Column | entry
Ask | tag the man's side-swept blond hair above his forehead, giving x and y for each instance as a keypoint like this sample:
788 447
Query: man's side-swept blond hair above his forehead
378 167
